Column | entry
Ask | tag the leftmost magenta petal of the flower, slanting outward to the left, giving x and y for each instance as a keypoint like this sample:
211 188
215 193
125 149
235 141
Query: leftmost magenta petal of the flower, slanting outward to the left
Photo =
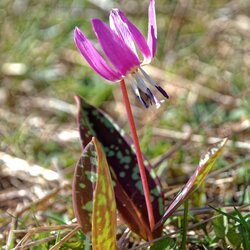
94 59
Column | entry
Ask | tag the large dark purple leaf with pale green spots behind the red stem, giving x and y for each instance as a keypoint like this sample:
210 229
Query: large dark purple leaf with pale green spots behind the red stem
124 170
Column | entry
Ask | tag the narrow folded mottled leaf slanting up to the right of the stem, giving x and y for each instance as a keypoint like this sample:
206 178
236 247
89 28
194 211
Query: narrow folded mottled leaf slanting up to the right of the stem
206 163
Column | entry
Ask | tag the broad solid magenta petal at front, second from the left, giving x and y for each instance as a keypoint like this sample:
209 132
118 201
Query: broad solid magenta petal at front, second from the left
119 54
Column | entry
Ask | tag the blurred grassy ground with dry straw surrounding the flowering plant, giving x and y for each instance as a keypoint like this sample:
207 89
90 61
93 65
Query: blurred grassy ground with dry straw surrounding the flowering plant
202 61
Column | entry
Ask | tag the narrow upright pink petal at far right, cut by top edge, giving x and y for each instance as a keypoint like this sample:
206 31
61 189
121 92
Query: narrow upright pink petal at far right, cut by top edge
152 28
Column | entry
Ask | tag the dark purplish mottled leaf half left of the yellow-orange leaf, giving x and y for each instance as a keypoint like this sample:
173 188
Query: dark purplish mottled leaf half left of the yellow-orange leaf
83 186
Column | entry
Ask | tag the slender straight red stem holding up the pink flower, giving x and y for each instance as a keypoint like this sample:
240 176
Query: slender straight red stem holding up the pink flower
138 155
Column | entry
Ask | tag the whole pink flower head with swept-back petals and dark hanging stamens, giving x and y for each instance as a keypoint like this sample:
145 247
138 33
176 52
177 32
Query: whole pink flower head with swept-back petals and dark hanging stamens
120 42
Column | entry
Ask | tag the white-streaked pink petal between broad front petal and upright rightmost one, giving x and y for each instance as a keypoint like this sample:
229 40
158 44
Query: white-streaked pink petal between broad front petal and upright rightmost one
129 31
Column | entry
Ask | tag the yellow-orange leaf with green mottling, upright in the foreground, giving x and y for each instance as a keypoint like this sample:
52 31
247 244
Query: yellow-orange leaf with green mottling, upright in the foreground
104 206
